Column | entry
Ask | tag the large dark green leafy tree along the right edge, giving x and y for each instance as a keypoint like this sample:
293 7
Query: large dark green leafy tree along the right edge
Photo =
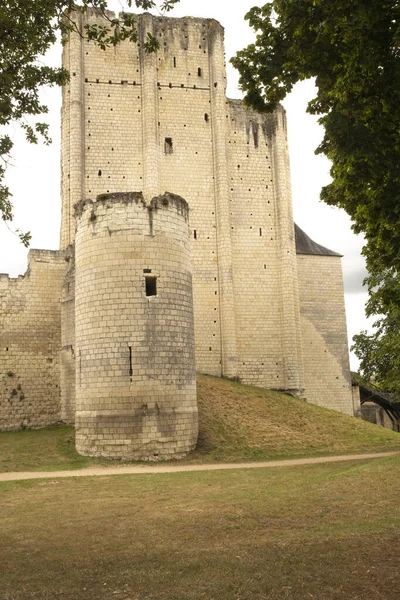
352 49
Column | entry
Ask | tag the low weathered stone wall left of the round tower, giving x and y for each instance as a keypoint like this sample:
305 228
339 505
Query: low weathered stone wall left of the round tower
30 342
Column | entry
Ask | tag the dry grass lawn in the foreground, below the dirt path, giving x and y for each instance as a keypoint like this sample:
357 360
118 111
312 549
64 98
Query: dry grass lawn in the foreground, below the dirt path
320 531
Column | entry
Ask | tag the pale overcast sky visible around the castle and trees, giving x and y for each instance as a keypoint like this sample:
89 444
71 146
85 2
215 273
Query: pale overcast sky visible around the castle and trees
34 173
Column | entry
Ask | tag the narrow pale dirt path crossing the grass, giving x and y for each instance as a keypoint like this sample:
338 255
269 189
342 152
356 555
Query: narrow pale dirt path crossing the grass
142 469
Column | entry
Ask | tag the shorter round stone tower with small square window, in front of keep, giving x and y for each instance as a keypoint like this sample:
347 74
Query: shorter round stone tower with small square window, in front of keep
135 366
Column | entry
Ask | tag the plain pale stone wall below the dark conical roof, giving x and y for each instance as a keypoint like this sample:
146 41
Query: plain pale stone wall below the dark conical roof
324 334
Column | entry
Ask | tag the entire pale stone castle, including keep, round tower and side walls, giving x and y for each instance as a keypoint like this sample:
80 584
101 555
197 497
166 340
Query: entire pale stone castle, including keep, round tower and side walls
268 301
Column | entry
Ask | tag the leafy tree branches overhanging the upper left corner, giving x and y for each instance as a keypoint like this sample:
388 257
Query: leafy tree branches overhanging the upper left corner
27 30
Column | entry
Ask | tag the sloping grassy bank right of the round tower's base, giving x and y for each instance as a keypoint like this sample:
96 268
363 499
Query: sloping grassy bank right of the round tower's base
244 422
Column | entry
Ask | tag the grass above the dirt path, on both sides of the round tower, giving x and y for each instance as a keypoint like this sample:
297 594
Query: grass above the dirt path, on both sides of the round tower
237 422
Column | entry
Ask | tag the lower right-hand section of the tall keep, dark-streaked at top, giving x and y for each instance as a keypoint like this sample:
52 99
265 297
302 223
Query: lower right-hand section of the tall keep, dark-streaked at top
266 297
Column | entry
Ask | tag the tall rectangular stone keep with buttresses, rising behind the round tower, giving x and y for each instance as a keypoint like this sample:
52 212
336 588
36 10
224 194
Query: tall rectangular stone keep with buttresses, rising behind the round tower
161 121
